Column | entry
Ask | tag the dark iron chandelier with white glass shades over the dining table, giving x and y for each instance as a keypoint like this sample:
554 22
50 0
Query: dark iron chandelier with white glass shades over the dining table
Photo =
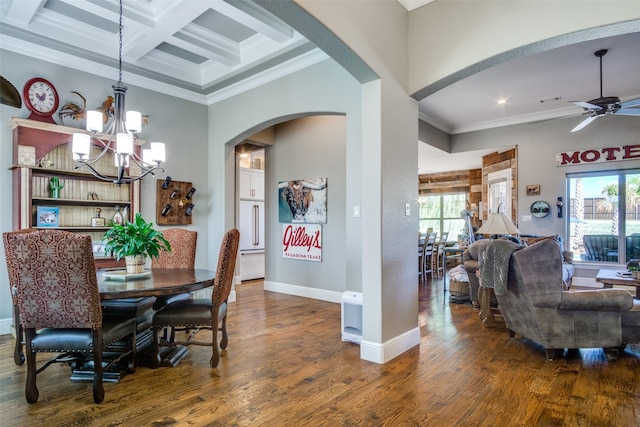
122 133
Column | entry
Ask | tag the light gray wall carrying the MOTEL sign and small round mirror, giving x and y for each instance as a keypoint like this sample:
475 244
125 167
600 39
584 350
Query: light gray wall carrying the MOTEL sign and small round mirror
537 146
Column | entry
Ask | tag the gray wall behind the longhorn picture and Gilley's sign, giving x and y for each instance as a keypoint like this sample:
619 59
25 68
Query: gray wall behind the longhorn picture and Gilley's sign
312 147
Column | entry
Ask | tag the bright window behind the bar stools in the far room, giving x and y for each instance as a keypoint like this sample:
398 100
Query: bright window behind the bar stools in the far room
442 212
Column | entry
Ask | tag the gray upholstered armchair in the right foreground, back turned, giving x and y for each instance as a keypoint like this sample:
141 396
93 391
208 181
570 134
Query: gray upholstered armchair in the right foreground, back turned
536 306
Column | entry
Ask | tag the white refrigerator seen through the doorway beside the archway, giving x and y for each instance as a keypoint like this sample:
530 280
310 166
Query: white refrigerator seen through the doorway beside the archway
251 239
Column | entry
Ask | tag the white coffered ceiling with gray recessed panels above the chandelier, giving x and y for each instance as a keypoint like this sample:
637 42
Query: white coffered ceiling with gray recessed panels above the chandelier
198 50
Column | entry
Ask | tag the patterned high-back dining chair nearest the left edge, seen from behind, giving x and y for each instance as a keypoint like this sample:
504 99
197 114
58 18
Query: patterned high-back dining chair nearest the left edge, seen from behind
59 304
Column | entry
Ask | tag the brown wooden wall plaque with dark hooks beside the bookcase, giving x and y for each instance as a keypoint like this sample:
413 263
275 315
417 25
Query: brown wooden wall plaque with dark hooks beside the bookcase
174 202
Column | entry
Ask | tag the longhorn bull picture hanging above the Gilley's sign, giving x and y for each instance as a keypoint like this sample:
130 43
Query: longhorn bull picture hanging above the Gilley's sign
303 201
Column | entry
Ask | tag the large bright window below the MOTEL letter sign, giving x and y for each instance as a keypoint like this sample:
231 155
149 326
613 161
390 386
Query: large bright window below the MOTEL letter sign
604 216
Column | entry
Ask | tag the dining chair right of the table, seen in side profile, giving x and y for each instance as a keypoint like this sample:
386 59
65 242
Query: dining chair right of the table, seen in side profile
202 313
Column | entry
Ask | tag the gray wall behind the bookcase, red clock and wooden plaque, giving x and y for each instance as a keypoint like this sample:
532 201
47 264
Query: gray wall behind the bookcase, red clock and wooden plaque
182 125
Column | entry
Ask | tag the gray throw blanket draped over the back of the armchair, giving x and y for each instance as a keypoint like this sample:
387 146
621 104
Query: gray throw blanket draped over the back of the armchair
494 265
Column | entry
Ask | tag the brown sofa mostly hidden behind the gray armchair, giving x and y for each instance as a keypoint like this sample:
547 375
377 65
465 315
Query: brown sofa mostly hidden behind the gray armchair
470 261
